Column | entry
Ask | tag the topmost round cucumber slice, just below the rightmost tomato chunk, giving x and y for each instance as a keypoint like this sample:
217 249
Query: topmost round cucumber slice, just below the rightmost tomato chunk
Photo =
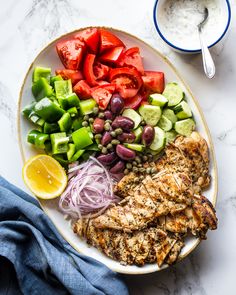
173 93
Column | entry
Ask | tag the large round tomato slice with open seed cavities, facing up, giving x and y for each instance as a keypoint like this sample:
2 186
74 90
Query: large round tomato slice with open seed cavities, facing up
127 81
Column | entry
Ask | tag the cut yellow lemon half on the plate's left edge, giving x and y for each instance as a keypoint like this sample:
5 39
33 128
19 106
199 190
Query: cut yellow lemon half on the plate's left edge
45 177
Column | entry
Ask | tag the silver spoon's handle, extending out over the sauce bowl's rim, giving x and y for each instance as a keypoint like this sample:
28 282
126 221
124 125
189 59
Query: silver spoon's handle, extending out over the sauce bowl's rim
208 63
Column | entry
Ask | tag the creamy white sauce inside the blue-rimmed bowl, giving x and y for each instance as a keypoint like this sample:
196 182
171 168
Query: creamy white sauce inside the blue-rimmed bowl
178 20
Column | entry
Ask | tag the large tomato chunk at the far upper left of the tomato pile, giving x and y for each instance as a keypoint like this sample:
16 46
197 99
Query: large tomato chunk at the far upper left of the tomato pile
71 53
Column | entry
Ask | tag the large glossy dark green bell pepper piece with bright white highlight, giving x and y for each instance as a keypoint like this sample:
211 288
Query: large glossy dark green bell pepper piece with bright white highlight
48 110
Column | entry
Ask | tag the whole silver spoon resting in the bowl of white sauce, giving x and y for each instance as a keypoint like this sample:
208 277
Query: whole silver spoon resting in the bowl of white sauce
208 63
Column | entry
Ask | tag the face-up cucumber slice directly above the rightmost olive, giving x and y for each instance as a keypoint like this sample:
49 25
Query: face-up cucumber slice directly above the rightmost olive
151 114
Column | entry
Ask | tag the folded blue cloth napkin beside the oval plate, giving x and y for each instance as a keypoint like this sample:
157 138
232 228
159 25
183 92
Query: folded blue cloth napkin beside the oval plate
43 261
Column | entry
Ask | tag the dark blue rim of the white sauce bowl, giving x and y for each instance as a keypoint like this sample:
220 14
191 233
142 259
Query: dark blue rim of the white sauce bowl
183 49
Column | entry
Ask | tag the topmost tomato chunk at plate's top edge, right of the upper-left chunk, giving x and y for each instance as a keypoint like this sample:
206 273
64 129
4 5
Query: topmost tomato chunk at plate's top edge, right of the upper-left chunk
90 37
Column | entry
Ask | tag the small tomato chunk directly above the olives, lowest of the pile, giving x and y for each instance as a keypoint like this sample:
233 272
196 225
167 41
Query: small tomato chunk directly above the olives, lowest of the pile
102 94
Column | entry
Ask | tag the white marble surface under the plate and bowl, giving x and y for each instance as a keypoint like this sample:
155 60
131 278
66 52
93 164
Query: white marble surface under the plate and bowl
27 26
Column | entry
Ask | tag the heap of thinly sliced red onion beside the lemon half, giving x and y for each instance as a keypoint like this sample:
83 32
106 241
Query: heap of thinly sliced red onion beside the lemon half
89 191
